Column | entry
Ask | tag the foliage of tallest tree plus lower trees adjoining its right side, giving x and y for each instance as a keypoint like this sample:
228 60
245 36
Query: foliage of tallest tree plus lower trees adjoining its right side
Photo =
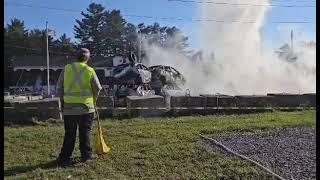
106 33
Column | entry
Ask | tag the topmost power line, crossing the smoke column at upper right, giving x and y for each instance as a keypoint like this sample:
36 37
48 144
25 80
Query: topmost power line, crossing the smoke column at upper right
242 4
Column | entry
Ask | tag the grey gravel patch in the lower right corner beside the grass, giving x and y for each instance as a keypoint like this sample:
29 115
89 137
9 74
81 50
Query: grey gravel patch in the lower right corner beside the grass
289 152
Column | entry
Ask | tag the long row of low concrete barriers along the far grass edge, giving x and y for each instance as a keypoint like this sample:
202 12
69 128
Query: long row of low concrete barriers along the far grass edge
21 108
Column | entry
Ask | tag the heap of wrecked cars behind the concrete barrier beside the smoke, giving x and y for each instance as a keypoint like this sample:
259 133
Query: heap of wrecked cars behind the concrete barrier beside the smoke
132 78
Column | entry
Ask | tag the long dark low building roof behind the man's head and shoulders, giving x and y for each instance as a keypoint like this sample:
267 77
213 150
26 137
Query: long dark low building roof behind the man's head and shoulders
37 61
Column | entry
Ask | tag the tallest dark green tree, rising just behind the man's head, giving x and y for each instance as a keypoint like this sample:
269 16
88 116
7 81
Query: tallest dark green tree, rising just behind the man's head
105 33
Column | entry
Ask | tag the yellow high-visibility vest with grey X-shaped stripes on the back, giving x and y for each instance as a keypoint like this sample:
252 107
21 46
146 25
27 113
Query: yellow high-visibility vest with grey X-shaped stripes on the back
76 84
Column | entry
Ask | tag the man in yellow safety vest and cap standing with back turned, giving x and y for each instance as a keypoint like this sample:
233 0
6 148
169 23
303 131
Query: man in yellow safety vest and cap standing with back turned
78 86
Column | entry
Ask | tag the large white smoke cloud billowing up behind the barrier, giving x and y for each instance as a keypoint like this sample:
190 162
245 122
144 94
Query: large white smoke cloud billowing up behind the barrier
240 66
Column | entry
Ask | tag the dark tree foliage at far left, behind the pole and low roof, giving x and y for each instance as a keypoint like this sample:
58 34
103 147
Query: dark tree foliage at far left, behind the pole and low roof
18 41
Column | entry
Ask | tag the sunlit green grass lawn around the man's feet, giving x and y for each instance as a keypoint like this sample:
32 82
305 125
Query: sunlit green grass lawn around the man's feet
143 148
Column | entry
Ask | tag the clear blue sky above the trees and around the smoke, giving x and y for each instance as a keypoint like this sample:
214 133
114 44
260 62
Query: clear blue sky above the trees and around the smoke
62 21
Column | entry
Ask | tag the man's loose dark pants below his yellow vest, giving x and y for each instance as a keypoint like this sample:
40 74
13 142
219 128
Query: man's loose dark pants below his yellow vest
70 125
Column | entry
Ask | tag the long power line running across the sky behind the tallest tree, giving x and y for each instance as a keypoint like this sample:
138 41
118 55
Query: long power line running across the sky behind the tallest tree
164 18
